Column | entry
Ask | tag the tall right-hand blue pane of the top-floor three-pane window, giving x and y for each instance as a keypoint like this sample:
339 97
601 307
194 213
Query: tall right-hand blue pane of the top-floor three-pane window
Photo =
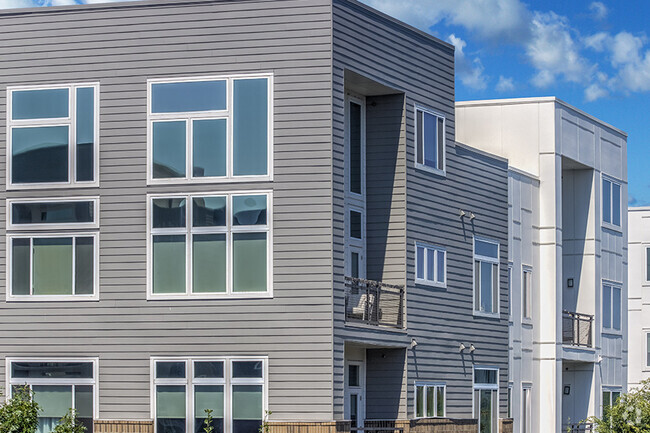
250 127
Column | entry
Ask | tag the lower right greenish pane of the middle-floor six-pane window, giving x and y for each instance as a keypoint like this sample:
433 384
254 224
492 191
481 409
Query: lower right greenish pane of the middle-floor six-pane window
249 262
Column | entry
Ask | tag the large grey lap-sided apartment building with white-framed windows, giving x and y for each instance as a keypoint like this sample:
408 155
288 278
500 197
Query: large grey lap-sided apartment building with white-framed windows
247 206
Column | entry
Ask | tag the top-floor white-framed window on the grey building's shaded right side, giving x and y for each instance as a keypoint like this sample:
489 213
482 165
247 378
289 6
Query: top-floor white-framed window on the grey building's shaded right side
430 140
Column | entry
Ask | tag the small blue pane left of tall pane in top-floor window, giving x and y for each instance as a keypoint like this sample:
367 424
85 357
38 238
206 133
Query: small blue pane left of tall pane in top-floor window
209 141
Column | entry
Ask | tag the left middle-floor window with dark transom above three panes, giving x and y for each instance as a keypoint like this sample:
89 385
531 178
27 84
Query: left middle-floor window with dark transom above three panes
46 265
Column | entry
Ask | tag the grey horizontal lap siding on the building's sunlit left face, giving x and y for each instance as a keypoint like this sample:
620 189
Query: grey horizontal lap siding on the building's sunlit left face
122 47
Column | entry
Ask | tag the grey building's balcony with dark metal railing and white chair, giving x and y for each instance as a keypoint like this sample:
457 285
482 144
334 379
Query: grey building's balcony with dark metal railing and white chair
374 303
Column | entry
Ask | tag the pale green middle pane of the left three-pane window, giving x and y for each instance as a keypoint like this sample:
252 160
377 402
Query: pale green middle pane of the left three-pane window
52 273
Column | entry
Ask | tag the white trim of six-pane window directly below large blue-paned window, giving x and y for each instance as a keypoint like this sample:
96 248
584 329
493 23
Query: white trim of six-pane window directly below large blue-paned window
188 230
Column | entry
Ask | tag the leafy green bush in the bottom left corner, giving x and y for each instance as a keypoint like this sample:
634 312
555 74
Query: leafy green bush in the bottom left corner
19 414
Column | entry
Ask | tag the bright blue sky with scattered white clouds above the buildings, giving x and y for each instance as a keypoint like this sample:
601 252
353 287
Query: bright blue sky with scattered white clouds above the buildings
594 55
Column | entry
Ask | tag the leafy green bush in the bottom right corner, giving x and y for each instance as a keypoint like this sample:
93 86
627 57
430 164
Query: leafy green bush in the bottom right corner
629 414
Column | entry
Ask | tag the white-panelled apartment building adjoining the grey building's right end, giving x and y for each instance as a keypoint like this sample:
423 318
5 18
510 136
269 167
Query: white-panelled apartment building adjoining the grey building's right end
568 256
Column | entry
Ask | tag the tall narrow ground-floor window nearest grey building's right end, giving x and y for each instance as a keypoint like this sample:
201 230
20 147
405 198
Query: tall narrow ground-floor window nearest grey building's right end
486 388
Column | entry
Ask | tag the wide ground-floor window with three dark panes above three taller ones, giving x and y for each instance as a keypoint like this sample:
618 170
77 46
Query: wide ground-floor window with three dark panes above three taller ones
234 388
